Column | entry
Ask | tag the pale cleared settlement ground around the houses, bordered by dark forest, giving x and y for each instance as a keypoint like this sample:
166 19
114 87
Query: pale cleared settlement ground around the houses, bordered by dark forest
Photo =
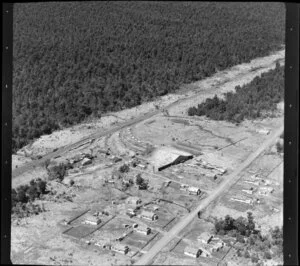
97 188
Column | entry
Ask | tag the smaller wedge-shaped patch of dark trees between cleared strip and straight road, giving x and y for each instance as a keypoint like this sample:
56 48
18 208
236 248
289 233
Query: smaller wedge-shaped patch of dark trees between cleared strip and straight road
250 101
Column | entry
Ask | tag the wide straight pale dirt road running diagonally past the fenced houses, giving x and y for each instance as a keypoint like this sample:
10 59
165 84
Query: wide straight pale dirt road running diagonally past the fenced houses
224 186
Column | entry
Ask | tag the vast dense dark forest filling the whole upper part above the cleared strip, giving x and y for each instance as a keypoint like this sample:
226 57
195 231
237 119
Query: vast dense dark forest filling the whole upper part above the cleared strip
74 60
